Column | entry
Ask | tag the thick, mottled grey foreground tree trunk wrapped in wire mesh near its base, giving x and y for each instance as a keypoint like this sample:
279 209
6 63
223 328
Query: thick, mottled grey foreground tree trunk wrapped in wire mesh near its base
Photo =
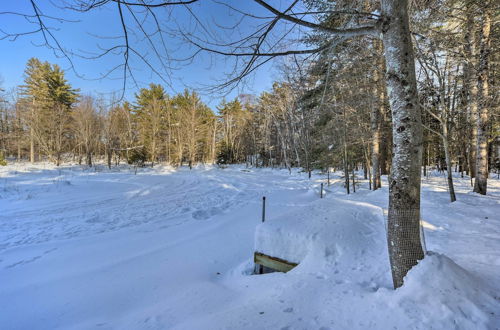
405 248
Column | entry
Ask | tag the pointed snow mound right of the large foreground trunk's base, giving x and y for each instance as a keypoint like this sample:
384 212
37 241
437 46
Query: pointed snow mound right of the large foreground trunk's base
440 293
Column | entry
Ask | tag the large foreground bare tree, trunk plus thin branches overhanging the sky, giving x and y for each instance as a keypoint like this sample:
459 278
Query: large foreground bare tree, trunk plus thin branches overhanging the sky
269 40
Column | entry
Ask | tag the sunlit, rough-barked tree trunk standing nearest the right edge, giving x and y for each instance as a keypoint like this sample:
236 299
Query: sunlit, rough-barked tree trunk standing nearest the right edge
482 120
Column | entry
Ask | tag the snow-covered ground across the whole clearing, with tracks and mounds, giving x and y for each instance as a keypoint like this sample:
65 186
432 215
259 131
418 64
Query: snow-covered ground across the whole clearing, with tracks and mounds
87 249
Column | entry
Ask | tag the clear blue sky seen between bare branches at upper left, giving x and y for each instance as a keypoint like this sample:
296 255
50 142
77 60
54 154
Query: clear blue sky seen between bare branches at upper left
87 35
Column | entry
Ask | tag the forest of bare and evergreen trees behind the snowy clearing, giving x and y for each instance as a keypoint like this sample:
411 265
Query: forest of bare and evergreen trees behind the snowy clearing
312 118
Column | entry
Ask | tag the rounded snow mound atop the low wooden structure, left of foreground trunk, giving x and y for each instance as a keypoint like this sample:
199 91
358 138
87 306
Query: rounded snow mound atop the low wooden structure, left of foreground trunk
329 231
